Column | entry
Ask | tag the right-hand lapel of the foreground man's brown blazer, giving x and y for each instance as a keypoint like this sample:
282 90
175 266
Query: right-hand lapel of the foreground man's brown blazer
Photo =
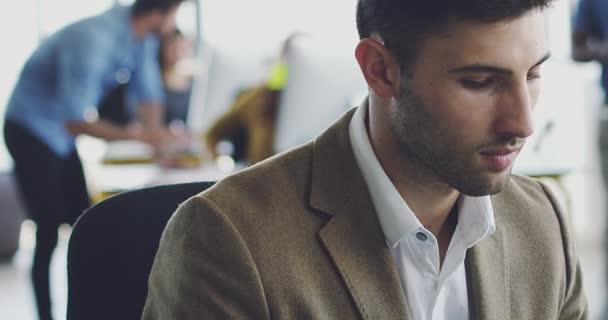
488 276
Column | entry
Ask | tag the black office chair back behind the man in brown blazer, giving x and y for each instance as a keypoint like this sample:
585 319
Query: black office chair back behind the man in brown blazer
112 248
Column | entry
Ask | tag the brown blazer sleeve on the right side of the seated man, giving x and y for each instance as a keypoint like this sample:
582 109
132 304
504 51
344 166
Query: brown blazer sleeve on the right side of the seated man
574 306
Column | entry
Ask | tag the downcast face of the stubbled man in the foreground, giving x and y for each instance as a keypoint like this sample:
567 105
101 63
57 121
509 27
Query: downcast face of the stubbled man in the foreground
464 110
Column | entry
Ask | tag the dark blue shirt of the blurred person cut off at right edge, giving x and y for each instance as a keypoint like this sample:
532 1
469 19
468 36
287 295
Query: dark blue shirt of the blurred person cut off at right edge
592 18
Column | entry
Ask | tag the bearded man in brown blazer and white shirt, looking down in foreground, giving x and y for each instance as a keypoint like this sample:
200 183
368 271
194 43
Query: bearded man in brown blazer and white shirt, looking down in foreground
406 207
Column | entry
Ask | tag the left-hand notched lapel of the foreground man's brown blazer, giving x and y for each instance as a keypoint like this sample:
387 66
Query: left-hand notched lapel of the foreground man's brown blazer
353 236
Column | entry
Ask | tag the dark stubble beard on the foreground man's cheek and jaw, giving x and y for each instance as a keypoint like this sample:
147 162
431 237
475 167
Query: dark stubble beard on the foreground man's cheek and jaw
427 145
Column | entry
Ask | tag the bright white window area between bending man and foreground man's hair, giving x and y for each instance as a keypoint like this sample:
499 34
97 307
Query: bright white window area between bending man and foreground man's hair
266 22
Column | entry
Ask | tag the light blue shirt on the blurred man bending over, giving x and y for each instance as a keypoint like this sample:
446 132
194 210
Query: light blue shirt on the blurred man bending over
73 69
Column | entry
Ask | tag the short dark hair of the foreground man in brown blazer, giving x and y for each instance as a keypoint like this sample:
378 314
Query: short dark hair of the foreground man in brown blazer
403 24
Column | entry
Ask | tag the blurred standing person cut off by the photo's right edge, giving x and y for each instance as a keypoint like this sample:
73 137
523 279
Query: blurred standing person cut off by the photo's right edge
590 43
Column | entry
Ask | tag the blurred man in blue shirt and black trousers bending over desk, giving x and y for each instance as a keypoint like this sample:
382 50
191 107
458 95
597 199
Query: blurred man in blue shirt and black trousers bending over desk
60 83
